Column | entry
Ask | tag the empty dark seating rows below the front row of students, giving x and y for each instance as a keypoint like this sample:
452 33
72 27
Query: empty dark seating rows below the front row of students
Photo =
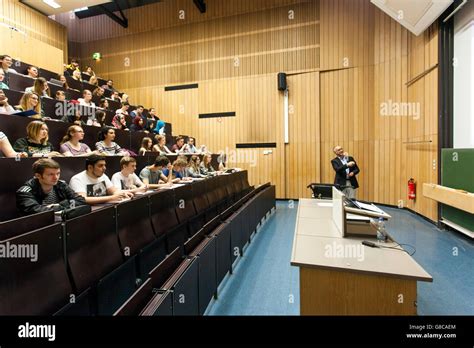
91 264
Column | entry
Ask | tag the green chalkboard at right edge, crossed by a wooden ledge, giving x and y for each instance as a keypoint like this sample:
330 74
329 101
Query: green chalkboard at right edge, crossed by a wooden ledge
457 171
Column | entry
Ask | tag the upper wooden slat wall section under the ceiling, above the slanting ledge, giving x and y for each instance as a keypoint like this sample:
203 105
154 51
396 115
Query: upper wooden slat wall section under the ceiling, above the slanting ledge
259 34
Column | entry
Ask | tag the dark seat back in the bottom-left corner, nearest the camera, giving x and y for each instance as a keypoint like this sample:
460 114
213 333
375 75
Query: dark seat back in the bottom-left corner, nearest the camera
30 286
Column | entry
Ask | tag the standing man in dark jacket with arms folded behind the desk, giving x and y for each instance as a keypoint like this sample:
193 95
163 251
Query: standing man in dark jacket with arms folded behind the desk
346 170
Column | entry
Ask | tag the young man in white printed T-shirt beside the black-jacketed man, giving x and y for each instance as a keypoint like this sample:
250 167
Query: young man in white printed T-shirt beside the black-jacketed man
94 185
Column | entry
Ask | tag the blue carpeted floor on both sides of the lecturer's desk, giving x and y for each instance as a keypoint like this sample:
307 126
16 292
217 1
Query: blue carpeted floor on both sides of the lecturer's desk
264 282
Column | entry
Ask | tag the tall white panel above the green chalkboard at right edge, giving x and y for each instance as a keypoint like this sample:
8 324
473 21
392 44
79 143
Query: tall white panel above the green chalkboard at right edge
464 77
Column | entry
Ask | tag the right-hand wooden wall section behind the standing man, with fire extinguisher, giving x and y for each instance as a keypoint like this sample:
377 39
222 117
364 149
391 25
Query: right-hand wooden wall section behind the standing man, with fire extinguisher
390 149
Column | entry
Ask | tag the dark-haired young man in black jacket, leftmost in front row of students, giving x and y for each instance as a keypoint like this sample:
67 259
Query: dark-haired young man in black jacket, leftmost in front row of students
45 192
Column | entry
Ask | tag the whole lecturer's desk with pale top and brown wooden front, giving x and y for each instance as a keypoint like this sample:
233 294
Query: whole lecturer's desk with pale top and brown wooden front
340 276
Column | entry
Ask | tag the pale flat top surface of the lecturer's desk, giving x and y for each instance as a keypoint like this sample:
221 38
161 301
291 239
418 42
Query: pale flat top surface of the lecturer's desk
319 244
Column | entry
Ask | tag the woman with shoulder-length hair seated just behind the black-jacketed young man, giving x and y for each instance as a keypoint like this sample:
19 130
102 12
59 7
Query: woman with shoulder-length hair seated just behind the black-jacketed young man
36 143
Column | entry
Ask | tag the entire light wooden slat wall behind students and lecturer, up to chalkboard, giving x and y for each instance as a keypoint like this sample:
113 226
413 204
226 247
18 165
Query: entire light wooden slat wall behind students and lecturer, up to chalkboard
364 59
